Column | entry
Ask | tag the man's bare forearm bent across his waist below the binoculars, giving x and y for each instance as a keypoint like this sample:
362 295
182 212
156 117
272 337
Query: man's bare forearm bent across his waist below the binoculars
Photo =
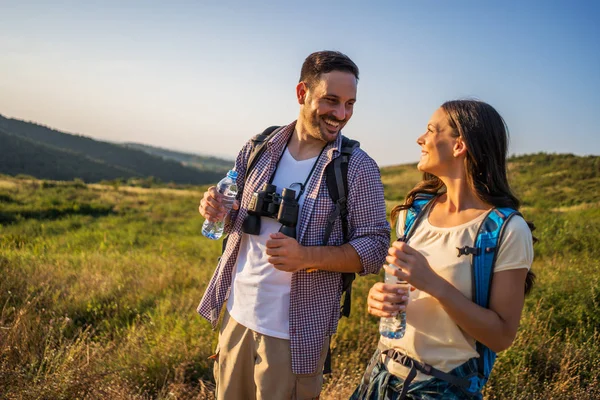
342 258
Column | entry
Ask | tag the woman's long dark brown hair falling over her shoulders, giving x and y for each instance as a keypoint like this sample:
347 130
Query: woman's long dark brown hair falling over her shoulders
484 132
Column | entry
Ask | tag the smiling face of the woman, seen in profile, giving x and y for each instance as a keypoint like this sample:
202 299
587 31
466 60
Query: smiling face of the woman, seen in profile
437 145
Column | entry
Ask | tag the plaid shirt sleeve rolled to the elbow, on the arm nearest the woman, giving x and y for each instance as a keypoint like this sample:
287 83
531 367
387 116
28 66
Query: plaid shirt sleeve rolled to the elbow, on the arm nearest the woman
368 226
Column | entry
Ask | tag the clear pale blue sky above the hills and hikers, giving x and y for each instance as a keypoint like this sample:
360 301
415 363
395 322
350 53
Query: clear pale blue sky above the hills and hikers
204 76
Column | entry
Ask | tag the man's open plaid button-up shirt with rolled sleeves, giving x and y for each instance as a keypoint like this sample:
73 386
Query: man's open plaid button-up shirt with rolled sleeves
315 297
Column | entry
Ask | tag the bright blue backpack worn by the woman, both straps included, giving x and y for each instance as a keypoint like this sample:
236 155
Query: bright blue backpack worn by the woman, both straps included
484 255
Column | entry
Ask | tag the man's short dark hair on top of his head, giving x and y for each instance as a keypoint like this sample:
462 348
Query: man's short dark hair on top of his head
322 62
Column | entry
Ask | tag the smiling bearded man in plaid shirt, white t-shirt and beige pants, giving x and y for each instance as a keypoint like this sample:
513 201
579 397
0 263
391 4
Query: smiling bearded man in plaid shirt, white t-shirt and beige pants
283 294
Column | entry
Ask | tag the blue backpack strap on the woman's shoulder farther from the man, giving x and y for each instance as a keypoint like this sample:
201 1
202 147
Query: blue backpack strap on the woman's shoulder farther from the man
487 243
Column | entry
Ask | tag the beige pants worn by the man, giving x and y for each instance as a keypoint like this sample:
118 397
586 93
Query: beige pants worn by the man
252 366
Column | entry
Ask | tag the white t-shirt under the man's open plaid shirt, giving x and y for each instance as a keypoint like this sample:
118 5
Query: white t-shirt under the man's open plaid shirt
260 294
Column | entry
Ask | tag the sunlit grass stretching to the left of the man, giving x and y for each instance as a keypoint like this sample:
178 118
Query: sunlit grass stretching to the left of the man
102 307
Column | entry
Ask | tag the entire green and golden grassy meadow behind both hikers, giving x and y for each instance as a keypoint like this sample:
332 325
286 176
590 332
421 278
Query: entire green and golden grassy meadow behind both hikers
99 284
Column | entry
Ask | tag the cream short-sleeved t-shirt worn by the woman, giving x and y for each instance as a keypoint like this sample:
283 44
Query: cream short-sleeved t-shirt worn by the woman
431 335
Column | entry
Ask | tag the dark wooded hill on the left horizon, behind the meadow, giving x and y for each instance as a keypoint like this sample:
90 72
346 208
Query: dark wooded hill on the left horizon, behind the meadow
32 149
